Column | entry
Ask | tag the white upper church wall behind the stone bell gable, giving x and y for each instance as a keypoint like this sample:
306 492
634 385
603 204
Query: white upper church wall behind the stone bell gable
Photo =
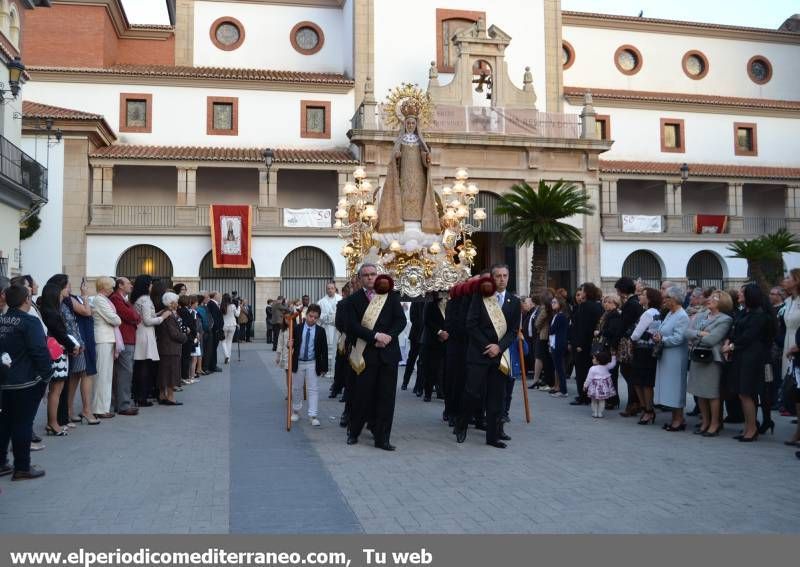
405 46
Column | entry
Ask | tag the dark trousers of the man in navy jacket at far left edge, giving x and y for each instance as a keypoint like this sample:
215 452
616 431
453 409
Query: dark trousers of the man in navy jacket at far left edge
16 423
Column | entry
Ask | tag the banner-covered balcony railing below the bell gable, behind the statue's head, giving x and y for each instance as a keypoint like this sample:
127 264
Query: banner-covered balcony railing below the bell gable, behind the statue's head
486 120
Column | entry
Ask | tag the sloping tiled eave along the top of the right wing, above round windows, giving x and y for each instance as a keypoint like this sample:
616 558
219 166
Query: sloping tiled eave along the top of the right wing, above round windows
676 27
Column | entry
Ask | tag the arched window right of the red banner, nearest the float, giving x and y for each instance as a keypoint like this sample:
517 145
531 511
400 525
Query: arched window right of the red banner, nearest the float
305 271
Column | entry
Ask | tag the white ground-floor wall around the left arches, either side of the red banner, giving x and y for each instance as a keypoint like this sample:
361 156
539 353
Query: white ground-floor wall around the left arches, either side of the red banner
186 252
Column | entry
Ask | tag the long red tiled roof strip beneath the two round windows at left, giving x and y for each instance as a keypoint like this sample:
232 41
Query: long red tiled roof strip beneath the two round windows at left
222 73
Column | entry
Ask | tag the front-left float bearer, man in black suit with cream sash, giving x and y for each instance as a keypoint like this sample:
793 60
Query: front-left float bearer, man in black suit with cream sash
376 341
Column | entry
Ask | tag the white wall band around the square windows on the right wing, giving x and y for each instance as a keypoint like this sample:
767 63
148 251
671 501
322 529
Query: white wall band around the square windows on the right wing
708 137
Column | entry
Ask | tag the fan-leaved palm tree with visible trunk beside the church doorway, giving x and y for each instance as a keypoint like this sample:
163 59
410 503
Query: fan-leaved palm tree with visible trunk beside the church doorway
534 217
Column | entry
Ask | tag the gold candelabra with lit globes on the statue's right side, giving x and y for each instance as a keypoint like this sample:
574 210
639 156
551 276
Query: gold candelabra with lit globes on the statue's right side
459 215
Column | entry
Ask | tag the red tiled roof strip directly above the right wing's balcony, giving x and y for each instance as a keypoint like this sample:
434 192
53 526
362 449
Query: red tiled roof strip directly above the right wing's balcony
699 169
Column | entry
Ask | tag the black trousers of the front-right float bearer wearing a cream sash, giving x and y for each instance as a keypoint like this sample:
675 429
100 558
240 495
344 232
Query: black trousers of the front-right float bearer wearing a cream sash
489 380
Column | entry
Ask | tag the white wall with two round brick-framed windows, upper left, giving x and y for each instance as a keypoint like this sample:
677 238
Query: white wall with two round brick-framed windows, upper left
266 44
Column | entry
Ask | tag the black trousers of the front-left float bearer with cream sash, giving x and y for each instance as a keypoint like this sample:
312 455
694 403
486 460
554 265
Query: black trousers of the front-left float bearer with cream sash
375 391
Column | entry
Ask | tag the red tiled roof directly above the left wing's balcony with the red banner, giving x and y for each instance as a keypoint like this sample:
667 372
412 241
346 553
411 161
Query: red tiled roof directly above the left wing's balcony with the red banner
193 153
